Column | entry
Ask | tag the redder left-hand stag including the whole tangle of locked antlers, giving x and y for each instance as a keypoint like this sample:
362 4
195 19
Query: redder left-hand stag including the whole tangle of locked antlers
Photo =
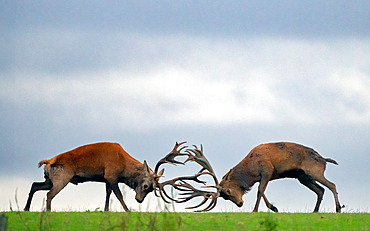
111 164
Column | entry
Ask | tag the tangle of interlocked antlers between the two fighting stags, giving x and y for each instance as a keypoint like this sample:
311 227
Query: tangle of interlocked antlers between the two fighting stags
180 183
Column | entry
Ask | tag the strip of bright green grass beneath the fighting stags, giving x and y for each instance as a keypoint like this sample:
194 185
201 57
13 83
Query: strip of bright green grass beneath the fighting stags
186 221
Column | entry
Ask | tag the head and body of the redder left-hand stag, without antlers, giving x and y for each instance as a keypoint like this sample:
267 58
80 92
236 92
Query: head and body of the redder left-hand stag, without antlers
100 162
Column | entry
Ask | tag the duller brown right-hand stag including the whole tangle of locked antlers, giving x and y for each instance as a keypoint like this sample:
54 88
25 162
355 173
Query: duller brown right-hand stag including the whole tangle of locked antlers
264 163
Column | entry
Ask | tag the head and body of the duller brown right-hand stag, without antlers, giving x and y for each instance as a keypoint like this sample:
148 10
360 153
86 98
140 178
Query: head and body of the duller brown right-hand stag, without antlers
272 161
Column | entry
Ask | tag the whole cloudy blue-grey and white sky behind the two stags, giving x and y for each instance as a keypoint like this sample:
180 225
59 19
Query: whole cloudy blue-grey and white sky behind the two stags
227 74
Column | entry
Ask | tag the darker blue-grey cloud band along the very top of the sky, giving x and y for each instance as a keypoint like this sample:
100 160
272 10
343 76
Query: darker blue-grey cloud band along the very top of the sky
246 18
